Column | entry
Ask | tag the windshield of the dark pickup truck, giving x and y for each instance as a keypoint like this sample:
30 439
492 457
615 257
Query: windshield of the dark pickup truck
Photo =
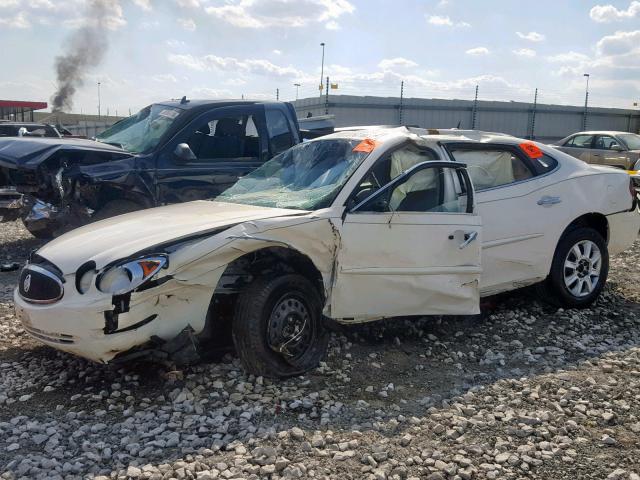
141 132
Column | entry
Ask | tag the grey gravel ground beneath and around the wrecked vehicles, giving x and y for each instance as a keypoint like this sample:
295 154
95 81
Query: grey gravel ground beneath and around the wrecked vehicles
524 391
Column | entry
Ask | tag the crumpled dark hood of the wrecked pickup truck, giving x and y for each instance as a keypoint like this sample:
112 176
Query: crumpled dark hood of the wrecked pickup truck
30 152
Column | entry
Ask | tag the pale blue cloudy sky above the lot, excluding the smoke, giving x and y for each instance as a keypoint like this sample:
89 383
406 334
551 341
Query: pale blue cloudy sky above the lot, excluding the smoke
161 49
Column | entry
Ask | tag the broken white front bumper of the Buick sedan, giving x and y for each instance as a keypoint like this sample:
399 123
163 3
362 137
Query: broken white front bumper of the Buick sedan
77 323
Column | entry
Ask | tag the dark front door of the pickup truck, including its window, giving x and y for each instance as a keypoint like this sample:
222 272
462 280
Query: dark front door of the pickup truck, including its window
211 153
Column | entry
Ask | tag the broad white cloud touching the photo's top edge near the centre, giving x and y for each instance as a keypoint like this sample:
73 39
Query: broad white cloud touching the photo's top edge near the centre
281 13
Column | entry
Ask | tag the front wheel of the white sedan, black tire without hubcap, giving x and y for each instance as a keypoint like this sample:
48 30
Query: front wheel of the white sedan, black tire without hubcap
269 306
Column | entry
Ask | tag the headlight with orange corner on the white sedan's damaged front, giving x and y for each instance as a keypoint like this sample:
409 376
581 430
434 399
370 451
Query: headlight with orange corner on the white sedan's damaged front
126 277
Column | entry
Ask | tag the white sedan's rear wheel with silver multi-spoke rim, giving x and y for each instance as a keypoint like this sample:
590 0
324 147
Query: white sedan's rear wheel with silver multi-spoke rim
561 288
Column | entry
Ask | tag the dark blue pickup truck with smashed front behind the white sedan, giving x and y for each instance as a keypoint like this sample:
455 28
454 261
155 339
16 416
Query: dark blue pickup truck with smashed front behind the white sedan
169 152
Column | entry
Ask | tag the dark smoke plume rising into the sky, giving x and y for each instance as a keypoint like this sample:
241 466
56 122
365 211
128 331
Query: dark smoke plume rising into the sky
86 48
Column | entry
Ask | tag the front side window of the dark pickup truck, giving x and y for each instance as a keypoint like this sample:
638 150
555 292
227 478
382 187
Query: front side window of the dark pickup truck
226 138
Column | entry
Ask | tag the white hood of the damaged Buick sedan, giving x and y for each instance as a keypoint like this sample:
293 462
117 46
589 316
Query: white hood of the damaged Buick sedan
120 237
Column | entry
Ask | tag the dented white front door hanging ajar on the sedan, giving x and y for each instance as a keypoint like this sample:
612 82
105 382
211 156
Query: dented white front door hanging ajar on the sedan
412 245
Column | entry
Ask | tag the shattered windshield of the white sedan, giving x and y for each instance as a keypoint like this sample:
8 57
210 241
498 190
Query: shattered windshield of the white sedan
305 177
